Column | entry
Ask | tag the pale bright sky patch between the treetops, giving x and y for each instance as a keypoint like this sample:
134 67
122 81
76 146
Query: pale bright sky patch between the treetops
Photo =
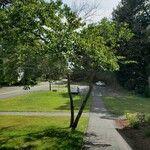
104 10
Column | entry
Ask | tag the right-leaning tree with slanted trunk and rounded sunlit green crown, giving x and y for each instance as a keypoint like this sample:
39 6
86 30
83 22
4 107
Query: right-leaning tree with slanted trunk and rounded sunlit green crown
95 51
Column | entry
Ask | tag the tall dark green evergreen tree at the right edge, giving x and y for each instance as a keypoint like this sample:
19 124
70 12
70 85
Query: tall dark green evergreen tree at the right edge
136 13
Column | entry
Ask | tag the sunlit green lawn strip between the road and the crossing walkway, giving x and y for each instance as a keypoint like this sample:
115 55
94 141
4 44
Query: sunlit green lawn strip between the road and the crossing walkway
41 101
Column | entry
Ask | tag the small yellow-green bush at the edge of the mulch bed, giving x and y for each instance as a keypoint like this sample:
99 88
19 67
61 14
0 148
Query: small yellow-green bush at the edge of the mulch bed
135 119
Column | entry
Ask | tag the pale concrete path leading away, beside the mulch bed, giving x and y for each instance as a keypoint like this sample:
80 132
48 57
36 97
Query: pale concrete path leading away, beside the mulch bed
101 133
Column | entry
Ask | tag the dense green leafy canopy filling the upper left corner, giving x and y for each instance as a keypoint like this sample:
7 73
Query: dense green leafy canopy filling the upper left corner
30 37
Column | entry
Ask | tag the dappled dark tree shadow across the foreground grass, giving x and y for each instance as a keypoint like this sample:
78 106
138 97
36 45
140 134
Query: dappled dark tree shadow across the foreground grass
52 138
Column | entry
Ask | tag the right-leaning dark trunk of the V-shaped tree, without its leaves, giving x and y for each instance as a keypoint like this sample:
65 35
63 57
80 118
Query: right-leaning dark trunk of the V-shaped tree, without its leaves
74 125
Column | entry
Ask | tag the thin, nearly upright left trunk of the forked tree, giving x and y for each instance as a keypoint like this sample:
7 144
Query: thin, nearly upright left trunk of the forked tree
71 101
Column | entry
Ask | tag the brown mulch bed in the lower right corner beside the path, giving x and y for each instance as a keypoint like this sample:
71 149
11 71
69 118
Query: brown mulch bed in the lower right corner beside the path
135 137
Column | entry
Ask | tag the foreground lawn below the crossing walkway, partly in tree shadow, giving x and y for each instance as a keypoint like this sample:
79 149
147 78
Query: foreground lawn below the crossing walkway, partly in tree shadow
40 133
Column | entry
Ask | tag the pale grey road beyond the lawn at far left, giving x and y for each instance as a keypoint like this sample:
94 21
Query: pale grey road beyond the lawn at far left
11 91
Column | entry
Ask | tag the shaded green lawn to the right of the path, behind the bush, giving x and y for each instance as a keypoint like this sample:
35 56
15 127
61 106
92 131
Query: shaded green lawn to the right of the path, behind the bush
122 104
